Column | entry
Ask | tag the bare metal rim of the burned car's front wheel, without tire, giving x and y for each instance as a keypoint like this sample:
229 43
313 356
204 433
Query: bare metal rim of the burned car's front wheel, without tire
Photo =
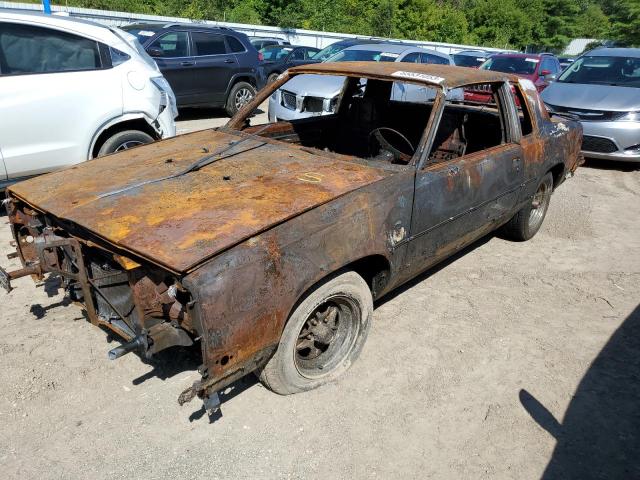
327 336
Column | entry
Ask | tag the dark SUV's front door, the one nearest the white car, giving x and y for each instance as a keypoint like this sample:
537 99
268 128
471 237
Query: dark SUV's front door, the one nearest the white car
172 53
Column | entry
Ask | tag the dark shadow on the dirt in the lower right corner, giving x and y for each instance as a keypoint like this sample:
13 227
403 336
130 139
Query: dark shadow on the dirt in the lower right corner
599 436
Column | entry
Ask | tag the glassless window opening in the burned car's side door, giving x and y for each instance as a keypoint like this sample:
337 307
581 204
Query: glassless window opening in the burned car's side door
467 127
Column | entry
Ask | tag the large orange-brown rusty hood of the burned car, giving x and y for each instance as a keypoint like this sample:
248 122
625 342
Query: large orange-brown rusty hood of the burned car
180 222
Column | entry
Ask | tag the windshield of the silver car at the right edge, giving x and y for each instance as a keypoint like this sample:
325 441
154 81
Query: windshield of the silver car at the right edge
617 71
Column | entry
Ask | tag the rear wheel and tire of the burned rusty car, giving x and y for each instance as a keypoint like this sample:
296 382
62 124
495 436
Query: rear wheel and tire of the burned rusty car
526 223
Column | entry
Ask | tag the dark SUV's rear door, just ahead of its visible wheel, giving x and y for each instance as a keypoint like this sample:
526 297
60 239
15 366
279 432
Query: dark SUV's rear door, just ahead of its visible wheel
214 67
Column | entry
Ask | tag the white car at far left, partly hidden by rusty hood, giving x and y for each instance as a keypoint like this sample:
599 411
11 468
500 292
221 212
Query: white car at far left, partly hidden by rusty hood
72 90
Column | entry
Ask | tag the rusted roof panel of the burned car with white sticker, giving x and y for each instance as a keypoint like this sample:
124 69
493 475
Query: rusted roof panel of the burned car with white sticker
446 75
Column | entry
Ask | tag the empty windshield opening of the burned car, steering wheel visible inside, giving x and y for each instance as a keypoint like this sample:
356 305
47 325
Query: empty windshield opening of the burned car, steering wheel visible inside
379 122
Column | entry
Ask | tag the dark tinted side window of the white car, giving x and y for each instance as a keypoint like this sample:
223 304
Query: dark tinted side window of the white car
27 50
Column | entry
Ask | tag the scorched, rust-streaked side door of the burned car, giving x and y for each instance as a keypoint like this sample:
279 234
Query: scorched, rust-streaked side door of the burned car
460 198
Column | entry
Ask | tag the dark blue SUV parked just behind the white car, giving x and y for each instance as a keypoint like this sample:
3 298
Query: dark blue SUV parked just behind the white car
205 66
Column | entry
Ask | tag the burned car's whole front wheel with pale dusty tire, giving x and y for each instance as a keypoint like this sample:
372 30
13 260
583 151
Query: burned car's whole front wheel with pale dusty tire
311 354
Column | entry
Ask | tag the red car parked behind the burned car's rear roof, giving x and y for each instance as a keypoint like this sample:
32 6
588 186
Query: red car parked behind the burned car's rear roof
541 69
